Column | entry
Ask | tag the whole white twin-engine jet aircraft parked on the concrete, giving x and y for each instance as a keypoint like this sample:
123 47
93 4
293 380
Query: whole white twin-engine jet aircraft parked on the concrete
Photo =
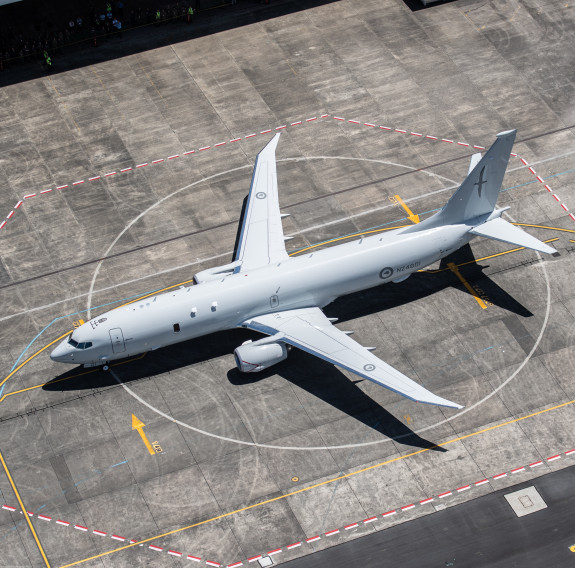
266 290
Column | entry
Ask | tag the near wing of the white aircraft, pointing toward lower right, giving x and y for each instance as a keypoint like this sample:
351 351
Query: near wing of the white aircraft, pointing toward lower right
309 329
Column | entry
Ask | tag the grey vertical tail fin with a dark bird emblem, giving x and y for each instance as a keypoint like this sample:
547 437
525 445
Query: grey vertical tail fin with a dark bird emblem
478 193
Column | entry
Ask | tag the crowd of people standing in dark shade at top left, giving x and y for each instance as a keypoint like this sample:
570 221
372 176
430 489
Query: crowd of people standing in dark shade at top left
18 46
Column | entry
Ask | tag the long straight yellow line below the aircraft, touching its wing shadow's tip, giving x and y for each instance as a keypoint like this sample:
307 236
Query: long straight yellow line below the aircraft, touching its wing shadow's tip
335 479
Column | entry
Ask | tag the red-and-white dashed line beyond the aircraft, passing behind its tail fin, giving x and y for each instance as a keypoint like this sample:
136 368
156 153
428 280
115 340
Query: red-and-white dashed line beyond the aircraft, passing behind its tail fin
277 129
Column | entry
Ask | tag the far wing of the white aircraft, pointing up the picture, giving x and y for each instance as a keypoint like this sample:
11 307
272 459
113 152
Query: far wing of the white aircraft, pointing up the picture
262 239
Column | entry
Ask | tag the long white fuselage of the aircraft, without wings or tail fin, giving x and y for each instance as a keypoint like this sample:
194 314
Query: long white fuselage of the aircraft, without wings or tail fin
312 279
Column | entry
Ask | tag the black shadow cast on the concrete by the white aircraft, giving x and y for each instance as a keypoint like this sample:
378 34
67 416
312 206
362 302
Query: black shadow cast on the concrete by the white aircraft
311 374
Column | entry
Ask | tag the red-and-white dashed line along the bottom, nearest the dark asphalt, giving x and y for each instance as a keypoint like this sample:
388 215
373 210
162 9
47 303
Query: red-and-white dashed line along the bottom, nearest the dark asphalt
354 525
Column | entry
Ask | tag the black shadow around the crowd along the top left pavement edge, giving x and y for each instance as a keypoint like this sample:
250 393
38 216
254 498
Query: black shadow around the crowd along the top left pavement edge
46 15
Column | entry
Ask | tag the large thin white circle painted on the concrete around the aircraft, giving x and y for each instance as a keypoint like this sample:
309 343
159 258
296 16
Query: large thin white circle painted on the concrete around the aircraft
311 448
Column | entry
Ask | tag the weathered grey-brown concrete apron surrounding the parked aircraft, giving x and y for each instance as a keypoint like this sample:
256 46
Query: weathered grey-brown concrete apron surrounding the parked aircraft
126 177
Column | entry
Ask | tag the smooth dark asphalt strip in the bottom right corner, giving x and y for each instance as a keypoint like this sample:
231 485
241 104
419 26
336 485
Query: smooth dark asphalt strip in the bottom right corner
482 532
